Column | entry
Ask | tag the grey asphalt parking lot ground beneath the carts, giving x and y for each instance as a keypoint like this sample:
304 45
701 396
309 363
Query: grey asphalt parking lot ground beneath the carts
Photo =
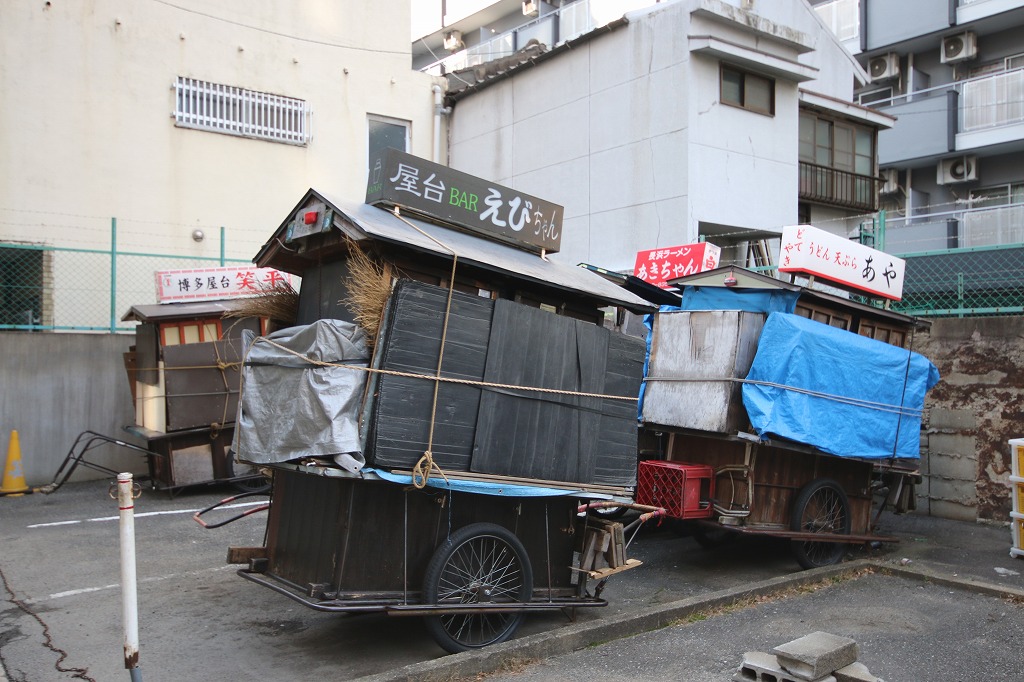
946 603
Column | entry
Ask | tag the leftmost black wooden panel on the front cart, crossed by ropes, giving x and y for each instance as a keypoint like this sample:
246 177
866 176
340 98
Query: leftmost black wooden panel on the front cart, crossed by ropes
401 423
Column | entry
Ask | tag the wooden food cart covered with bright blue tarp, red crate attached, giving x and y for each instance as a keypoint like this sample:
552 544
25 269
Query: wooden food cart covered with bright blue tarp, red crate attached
782 410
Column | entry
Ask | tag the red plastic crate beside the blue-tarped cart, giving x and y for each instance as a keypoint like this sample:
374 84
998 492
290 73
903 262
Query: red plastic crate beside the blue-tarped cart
684 490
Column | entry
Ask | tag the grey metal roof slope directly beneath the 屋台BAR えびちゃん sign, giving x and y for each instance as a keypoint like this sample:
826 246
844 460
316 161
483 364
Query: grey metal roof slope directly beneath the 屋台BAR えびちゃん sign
380 224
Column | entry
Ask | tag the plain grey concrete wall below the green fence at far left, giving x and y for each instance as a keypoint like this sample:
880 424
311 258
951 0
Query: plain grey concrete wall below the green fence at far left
55 387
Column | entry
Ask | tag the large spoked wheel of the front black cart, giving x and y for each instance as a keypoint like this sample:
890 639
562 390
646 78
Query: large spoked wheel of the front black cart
482 563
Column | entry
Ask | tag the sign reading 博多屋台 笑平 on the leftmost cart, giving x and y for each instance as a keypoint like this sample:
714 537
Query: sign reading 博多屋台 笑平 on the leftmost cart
215 283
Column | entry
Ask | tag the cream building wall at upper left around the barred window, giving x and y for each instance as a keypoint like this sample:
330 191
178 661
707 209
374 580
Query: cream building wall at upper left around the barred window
87 130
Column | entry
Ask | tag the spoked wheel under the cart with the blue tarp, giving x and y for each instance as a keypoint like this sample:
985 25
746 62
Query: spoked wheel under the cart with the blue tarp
821 507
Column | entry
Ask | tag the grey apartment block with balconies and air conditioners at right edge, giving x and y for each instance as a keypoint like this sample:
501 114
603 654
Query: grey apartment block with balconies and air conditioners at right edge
952 72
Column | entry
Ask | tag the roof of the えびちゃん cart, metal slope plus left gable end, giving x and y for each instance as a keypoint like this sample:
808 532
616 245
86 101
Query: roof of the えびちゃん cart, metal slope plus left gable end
363 222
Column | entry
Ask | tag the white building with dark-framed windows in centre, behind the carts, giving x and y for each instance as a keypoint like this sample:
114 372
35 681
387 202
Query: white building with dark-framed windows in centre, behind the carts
663 124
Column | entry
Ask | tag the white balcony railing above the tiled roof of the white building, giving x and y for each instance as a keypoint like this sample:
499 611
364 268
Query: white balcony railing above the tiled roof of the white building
552 29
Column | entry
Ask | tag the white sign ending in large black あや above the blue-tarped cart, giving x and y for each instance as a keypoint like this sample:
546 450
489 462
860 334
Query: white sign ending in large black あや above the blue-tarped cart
809 250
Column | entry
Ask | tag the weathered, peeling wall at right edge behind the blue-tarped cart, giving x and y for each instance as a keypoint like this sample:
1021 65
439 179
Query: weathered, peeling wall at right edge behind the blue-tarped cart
970 416
